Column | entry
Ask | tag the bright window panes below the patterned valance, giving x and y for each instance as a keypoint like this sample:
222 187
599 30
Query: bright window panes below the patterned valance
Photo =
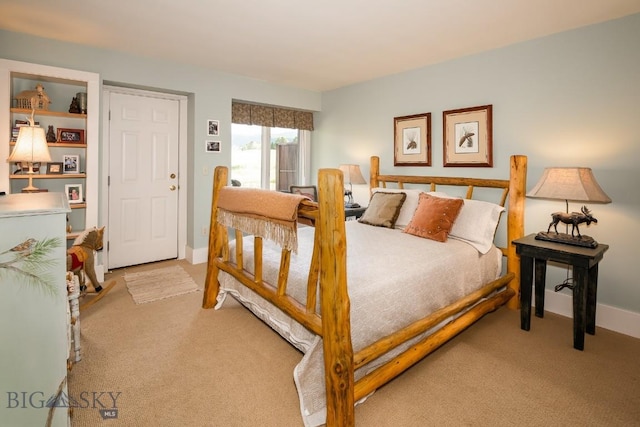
269 157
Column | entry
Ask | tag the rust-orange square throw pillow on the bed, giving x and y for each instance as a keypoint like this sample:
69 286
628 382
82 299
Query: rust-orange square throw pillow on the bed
434 217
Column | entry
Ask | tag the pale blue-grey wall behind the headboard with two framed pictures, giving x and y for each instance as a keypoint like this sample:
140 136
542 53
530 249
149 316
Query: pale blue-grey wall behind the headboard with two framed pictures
571 99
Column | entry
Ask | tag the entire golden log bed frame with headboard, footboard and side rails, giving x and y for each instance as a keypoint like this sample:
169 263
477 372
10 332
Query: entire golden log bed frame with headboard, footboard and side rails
328 275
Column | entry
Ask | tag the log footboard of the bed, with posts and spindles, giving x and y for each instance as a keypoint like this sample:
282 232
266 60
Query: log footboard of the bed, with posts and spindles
327 273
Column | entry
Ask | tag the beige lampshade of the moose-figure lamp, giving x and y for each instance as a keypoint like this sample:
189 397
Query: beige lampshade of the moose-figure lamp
574 184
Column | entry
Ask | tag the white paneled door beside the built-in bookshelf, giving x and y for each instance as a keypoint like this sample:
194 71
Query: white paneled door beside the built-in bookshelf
143 179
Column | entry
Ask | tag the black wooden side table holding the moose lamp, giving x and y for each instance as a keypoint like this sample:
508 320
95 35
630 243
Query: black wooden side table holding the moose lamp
536 253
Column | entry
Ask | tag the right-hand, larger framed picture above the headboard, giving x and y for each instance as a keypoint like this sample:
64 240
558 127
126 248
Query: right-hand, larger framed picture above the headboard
468 137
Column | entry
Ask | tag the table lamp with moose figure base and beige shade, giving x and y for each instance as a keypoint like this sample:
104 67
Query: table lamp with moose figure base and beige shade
575 184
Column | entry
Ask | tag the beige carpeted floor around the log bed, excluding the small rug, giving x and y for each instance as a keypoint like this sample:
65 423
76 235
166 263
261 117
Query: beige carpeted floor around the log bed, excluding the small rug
175 364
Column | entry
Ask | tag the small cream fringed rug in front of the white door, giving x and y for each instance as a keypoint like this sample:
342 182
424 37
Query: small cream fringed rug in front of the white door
160 283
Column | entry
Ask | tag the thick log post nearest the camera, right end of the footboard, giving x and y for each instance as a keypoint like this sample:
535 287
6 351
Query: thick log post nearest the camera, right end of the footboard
336 323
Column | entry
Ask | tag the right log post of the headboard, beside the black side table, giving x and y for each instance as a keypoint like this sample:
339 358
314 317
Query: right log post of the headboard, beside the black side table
515 230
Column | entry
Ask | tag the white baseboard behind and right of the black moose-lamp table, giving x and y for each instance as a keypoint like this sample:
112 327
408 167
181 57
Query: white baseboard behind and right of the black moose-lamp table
608 317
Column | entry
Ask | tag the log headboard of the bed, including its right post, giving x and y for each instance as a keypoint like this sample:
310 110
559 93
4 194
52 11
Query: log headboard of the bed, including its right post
512 197
